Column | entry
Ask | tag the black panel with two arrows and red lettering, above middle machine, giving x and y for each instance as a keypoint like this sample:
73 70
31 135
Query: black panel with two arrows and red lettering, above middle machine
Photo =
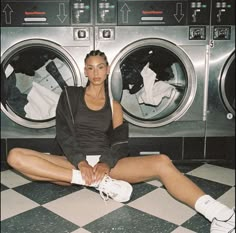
152 12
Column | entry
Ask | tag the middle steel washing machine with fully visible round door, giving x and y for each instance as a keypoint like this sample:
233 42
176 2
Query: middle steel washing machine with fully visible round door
158 54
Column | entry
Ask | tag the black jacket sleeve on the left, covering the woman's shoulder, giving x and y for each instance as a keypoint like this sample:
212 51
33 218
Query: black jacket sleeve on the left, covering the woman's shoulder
65 133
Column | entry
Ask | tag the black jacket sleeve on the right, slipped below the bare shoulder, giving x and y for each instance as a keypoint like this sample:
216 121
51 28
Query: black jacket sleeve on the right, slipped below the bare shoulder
119 145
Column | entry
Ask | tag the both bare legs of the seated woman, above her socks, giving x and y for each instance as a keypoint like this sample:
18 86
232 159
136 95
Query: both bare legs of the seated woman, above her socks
58 169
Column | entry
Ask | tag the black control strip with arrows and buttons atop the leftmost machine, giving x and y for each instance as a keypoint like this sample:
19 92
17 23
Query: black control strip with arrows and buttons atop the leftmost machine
46 13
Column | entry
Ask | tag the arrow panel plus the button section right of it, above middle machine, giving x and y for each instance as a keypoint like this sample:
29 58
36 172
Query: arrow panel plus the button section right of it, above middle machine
165 12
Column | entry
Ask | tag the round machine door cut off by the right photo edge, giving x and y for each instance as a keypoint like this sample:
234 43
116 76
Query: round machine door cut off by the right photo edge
227 86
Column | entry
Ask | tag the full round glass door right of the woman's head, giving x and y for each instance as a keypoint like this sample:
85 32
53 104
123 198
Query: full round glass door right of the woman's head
155 82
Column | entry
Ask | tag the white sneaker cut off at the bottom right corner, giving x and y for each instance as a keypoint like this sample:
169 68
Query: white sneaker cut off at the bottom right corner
227 226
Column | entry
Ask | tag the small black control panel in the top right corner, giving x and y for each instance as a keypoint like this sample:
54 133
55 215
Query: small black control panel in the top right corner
223 12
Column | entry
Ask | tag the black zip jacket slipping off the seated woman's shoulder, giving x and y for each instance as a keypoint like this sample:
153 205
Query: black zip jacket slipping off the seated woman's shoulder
65 134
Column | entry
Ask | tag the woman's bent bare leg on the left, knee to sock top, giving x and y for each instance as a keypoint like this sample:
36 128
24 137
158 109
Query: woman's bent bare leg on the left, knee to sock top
41 167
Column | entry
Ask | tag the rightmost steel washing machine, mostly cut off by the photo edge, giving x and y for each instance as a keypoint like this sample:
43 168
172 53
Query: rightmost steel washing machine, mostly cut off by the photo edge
220 130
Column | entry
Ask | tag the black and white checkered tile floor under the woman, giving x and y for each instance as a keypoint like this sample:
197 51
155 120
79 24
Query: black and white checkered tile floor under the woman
31 207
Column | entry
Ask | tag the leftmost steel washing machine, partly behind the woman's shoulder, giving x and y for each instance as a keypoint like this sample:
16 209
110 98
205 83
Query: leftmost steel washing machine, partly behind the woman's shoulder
43 45
